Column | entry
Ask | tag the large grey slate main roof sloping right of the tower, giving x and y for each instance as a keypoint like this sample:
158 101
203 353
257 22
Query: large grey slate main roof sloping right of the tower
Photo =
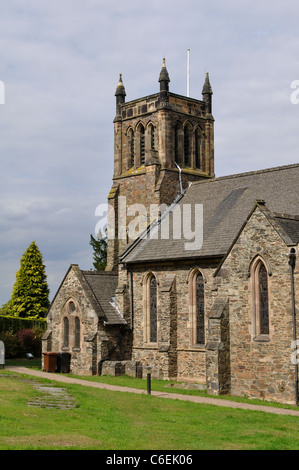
227 202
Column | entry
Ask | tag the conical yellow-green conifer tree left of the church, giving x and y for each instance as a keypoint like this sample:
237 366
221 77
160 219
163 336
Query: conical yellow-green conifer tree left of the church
30 295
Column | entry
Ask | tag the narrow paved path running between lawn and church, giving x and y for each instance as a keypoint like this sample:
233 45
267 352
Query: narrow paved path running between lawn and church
173 396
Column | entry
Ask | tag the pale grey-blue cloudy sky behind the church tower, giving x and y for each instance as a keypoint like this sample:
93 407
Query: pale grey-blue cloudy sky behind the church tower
59 65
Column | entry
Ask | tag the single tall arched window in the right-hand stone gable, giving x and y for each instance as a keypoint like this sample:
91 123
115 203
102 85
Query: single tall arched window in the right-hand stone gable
260 298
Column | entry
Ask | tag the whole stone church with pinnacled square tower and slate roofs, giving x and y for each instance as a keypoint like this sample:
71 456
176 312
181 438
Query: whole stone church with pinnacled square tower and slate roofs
207 291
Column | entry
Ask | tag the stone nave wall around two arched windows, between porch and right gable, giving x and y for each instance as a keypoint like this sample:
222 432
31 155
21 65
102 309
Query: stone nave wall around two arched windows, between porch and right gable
173 356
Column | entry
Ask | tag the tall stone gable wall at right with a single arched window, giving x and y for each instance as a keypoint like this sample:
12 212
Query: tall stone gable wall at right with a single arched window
260 367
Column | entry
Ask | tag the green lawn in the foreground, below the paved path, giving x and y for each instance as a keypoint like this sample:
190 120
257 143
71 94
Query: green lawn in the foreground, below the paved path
106 420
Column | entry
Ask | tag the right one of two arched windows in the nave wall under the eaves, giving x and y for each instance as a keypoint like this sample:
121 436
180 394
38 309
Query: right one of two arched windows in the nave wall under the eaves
197 307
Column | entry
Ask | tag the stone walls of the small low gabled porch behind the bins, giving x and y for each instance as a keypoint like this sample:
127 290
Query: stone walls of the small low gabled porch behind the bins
97 342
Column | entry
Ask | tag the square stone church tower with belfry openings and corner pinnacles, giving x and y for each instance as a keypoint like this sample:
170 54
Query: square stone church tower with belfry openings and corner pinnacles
162 142
